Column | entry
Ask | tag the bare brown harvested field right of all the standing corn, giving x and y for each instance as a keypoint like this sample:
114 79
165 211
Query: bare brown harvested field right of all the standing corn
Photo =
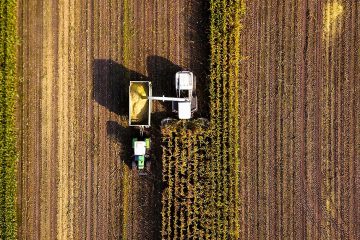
300 122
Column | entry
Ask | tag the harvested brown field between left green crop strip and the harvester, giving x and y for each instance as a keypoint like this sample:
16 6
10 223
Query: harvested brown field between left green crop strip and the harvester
75 61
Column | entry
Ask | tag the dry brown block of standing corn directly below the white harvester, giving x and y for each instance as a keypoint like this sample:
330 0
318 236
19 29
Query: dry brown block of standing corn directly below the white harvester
186 174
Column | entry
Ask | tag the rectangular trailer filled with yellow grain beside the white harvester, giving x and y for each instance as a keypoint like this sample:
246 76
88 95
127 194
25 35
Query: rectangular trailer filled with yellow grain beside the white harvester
139 104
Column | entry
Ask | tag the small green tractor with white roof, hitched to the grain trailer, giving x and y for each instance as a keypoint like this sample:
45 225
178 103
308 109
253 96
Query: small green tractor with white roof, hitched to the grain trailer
141 158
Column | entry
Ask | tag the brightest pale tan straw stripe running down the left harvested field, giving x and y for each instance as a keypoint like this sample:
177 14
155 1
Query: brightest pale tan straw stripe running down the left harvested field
64 229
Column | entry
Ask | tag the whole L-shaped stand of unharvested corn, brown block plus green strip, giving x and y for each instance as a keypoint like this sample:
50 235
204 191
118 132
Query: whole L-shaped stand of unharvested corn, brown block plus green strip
201 167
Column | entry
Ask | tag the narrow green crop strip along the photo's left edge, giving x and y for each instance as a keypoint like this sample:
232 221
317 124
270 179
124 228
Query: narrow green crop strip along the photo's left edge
8 155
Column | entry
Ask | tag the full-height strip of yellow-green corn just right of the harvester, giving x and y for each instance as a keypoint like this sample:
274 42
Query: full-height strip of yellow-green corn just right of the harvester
224 94
